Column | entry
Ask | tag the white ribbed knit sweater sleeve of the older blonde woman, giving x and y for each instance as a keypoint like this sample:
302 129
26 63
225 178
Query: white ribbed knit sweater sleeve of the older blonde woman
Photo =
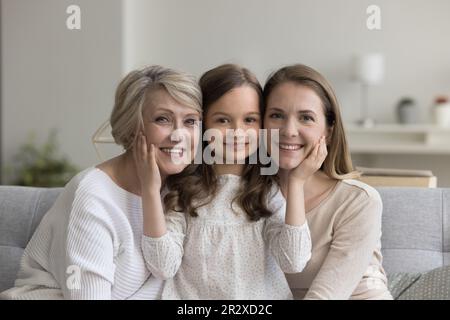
89 252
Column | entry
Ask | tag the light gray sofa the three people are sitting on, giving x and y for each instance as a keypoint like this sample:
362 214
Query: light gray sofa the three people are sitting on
416 227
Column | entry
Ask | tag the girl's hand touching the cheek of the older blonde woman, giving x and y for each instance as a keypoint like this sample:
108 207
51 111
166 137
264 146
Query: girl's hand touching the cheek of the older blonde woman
146 166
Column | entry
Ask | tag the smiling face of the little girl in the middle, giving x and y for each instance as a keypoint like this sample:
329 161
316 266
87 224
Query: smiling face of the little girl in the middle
237 110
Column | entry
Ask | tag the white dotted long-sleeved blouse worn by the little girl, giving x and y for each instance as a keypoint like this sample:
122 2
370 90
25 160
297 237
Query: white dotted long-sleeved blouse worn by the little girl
221 254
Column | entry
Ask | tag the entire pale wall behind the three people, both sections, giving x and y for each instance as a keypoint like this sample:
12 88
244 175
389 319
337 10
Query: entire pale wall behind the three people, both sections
53 77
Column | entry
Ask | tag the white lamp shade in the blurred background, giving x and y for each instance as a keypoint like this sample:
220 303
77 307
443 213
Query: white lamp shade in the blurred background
369 68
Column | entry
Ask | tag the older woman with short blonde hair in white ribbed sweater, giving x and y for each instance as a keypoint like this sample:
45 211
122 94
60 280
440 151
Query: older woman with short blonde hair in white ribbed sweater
88 246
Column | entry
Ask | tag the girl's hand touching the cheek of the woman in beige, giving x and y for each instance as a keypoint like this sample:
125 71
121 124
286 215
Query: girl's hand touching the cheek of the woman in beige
311 163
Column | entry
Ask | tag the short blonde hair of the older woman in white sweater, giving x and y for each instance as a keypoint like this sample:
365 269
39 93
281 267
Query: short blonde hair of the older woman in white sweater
133 93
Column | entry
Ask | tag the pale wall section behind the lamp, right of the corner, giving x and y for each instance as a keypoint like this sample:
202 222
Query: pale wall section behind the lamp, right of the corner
263 35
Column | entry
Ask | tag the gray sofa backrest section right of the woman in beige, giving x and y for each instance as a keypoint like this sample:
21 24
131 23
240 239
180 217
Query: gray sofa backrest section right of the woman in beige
416 228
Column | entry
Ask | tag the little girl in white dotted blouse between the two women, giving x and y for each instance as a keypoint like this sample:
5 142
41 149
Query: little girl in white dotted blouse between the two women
230 234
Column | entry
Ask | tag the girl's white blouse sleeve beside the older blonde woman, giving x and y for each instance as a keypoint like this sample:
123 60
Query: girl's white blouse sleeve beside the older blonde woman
163 255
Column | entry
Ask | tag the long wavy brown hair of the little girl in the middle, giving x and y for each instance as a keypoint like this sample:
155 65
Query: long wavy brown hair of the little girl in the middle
199 182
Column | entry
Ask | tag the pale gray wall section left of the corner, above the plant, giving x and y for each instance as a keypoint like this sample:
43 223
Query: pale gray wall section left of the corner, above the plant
55 77
